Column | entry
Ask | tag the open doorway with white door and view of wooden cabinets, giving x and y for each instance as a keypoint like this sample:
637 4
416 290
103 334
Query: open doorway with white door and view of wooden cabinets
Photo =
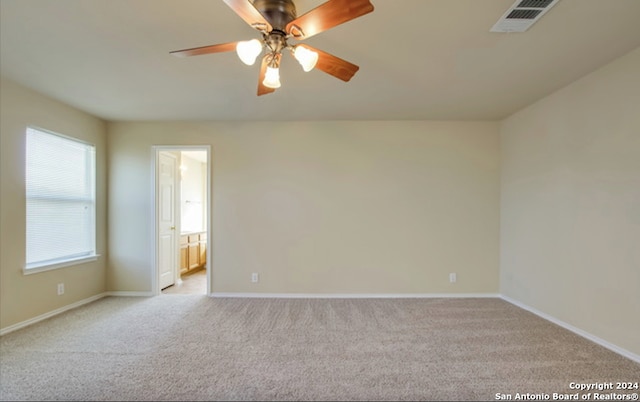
182 205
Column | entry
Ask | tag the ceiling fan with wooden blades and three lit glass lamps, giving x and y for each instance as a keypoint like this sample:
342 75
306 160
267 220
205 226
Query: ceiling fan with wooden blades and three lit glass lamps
278 22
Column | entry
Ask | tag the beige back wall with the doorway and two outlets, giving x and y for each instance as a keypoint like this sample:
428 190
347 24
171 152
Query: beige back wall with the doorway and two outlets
323 207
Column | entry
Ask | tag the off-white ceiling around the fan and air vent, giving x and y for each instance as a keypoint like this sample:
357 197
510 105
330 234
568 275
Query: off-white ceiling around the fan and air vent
419 59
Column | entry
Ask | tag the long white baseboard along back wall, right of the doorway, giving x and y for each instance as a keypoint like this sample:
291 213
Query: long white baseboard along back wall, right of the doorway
353 295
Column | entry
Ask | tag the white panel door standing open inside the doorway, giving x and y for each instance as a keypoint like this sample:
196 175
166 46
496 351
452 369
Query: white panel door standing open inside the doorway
167 245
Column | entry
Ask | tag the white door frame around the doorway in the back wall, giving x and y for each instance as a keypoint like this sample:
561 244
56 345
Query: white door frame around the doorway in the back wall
155 236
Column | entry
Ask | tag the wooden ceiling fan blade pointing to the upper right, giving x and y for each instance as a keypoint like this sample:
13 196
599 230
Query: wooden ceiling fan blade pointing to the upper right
326 16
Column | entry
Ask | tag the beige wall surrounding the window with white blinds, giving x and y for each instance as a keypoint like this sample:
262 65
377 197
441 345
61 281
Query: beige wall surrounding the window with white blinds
24 297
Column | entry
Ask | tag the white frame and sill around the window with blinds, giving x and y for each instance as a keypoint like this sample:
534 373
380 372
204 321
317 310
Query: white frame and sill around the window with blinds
47 265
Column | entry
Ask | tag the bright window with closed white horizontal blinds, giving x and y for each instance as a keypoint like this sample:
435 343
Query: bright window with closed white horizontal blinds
61 201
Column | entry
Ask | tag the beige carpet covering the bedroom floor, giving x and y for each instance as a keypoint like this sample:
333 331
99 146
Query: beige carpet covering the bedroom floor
190 347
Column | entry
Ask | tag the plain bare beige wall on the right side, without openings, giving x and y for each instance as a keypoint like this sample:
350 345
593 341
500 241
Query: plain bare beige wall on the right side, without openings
570 204
